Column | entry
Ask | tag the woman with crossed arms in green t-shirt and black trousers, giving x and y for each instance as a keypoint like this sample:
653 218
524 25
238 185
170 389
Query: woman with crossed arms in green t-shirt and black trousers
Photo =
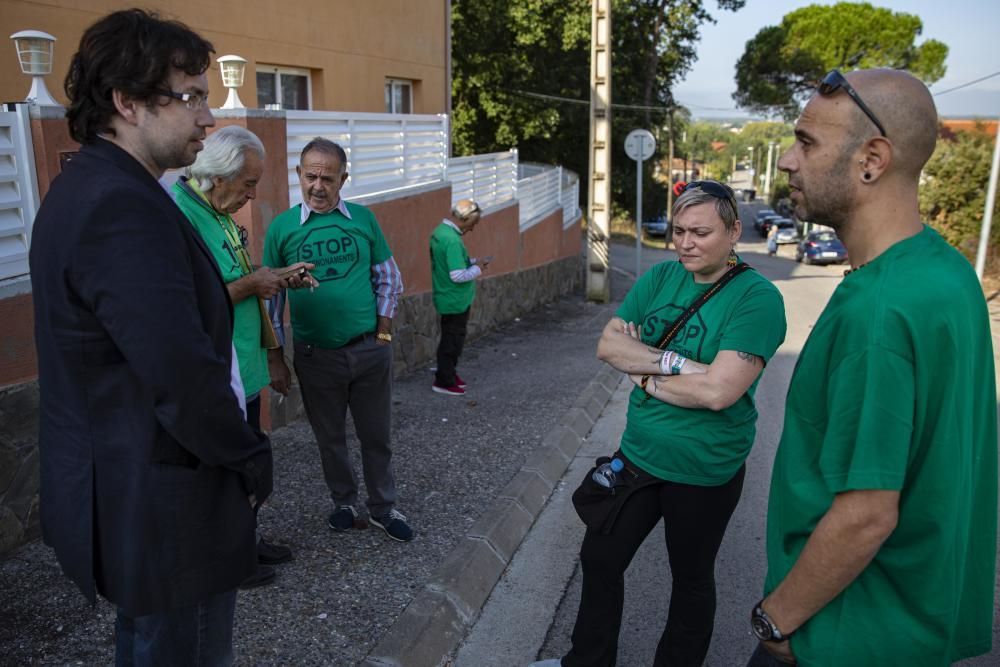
690 425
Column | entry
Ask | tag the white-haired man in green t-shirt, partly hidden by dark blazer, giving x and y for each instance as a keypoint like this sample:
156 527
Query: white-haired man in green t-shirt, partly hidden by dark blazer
221 181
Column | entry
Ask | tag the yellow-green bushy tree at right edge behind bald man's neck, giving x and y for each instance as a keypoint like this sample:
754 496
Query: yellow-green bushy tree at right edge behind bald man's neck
953 191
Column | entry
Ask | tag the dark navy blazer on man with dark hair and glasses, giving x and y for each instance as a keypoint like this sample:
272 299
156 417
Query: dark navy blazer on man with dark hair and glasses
146 461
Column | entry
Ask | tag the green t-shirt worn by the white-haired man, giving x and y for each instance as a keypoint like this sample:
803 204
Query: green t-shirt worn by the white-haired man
210 225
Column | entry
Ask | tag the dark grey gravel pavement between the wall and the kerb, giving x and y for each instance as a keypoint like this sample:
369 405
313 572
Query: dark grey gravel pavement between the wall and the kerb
343 591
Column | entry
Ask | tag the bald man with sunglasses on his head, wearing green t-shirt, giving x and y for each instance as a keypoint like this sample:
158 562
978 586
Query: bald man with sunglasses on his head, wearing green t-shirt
881 537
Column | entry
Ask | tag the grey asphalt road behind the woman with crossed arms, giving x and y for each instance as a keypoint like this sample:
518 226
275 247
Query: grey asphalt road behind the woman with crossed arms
531 612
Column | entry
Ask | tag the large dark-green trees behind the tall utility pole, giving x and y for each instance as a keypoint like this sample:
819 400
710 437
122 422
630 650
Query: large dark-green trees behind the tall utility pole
514 59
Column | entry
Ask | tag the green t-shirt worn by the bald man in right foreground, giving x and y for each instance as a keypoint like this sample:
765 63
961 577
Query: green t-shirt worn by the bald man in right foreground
895 390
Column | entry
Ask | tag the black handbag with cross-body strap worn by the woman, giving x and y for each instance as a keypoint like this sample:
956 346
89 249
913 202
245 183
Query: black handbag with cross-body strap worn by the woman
598 506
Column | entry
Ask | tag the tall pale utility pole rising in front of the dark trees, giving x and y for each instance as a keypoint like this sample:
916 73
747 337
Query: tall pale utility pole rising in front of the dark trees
599 178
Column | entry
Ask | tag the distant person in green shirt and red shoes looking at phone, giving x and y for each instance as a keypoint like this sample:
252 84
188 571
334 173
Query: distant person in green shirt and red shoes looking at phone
453 279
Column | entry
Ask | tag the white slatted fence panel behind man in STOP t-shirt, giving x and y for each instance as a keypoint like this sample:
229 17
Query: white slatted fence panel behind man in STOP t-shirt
384 151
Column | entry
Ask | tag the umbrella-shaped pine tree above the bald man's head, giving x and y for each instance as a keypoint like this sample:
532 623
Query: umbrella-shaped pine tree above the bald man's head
782 65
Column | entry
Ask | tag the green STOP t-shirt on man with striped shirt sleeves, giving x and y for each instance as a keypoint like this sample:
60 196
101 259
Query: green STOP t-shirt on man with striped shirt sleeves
344 251
